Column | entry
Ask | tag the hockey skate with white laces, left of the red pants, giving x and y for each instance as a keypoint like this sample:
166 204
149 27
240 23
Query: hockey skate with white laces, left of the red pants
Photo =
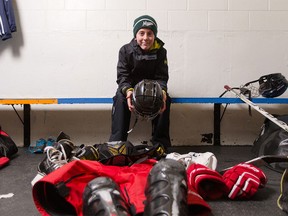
56 156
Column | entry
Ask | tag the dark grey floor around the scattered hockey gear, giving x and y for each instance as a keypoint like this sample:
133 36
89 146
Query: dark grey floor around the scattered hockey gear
16 177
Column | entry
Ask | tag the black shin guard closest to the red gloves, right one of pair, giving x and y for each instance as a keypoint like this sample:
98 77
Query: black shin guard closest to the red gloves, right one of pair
166 189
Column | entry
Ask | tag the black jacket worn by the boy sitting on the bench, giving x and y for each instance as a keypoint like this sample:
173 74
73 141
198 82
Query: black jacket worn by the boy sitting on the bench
134 65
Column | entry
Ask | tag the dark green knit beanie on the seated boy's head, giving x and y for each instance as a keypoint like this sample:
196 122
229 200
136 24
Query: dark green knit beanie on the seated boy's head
144 21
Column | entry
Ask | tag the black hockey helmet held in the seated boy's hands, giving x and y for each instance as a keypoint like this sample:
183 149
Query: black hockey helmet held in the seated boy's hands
147 99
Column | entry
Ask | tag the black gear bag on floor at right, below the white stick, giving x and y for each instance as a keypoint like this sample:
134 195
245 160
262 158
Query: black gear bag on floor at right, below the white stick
272 140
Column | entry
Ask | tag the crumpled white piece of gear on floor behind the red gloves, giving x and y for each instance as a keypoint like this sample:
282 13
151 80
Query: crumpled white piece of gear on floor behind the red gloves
207 159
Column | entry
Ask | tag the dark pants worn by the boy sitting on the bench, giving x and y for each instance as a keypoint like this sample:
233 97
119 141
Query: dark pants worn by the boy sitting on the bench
121 116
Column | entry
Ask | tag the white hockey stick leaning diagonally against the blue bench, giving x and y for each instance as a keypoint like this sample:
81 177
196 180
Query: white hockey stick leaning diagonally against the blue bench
281 124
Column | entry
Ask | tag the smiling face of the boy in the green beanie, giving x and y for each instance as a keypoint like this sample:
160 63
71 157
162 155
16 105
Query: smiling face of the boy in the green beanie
145 38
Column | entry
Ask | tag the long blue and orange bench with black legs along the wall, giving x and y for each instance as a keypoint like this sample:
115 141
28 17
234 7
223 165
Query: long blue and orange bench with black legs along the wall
216 101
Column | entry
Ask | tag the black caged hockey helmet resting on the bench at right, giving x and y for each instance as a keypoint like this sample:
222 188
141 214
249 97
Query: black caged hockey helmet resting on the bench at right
272 85
